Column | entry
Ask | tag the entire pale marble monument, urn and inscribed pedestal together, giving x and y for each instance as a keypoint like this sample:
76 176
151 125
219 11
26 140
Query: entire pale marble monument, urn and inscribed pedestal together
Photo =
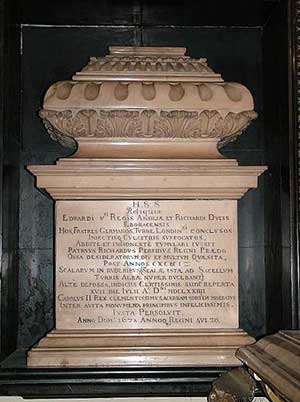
146 257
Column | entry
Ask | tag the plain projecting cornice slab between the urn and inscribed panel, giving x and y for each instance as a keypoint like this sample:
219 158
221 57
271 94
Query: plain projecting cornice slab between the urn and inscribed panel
152 179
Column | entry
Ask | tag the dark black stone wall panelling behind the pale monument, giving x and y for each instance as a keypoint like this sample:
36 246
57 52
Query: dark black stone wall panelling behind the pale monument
247 41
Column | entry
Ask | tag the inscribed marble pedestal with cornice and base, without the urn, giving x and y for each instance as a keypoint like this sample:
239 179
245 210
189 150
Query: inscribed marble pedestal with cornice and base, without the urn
146 262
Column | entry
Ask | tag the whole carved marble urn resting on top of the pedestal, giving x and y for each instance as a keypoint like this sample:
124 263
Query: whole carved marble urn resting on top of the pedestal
147 102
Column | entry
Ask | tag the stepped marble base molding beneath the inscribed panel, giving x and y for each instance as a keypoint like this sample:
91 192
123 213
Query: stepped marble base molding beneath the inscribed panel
131 349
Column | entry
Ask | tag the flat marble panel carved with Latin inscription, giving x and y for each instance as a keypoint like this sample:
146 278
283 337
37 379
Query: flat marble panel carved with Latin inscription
146 264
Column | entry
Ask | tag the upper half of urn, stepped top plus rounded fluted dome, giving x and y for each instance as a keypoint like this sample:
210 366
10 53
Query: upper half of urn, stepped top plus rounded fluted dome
156 78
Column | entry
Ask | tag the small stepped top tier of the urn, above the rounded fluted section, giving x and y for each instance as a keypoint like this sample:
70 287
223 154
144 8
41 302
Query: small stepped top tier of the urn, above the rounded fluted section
152 63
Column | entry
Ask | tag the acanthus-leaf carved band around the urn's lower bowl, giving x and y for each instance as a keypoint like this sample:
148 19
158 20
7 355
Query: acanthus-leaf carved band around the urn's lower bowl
65 125
